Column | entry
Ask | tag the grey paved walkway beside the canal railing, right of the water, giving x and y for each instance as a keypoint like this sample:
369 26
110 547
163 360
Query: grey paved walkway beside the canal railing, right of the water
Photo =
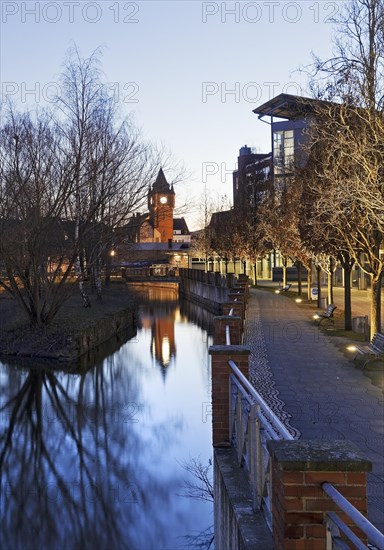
317 391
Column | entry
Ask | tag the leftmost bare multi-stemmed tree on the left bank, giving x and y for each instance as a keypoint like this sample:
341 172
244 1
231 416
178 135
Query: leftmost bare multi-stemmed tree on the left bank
35 256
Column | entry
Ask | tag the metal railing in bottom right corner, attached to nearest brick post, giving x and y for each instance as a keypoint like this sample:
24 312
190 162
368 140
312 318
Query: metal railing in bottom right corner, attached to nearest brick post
335 525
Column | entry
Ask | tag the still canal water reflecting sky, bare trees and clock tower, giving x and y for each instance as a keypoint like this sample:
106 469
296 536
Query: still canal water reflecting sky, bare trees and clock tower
94 459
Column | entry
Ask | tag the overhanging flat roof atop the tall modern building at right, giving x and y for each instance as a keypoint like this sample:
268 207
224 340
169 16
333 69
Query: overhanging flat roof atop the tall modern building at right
288 106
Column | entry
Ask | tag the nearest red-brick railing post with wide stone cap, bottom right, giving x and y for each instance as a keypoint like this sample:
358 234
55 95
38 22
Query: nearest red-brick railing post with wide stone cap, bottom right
299 503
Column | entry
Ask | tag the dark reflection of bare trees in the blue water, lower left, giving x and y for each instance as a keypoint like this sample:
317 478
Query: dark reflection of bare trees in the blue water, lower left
68 449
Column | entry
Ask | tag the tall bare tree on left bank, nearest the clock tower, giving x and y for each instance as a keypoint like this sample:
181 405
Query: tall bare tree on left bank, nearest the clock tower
111 169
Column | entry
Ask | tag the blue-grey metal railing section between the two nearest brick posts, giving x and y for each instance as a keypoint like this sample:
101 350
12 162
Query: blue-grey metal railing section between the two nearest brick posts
252 423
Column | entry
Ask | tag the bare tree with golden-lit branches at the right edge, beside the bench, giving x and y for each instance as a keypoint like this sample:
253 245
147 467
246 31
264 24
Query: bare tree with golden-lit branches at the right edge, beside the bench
349 137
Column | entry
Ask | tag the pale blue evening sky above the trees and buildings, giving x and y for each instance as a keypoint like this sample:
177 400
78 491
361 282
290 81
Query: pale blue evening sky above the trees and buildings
190 71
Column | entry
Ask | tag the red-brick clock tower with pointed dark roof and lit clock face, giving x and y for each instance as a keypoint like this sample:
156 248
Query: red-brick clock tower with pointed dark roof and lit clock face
161 202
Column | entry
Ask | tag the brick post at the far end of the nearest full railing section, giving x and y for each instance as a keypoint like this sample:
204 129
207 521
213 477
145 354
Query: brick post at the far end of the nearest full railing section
221 371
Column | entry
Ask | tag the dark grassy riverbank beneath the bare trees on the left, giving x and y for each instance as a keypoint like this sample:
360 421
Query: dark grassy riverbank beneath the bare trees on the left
73 332
